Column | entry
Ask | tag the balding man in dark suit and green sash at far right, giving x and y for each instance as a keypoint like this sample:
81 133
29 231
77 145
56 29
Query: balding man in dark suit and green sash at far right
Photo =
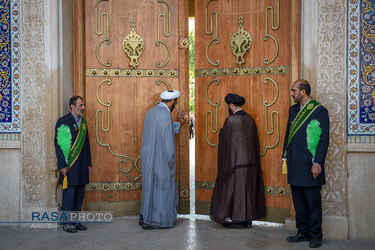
305 149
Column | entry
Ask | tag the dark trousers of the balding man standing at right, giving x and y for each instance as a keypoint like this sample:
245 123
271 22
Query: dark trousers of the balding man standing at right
308 205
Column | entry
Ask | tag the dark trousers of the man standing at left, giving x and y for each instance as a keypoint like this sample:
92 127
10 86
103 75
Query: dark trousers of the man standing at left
73 198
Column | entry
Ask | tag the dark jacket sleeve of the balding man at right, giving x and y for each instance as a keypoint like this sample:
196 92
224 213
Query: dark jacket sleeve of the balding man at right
322 148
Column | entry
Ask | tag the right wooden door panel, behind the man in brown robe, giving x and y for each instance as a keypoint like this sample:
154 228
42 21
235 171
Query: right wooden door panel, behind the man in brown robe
249 48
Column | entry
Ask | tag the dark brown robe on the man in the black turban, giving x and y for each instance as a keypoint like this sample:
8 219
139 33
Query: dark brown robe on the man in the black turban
239 193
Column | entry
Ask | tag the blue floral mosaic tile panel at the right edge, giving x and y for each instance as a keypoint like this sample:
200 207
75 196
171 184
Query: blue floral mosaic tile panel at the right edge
361 68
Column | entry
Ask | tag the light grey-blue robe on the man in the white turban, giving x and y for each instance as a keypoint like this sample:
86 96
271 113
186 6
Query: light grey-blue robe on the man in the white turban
158 167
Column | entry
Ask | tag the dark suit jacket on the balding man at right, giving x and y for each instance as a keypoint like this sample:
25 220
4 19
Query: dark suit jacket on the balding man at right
299 158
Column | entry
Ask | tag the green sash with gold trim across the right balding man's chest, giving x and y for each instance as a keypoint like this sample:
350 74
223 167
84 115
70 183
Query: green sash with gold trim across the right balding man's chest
301 117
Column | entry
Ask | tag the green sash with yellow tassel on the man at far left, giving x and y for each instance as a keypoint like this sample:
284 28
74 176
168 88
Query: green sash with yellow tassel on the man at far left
76 149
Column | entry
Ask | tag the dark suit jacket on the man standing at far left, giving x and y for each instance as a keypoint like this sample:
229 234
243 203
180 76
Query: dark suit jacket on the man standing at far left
78 174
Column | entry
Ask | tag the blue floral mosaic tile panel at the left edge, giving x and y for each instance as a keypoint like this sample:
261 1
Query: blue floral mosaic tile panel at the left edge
9 67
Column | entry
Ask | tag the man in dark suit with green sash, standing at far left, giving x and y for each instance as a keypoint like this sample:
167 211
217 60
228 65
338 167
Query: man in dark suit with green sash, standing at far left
73 158
